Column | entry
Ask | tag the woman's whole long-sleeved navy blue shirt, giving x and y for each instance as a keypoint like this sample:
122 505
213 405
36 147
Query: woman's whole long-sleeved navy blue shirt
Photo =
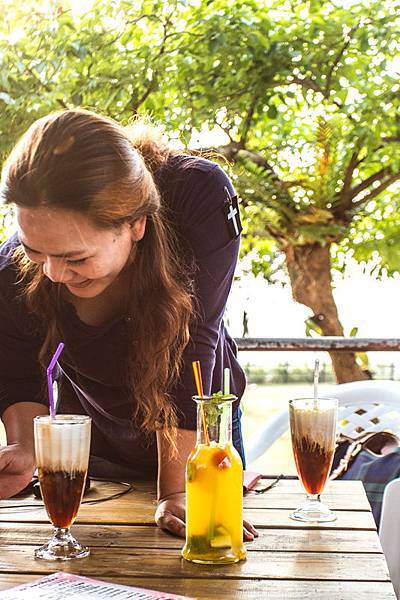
91 378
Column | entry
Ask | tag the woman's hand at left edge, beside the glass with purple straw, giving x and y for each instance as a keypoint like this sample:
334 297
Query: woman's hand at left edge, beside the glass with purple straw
17 464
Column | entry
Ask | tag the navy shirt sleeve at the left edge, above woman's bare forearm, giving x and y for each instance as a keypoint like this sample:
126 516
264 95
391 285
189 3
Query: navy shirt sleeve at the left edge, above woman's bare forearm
21 378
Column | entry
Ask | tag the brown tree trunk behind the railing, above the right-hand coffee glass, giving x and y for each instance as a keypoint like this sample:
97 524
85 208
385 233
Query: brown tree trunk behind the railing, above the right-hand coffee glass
309 268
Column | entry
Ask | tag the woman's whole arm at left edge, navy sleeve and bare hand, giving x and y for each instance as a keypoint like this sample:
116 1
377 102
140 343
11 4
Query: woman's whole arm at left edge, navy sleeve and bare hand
21 378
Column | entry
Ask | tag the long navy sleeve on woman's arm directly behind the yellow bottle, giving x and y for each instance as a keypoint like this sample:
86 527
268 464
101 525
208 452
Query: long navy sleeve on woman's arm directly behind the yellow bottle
214 248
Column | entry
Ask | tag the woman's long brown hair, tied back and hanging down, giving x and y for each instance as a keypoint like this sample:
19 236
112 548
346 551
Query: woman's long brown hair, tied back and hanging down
84 162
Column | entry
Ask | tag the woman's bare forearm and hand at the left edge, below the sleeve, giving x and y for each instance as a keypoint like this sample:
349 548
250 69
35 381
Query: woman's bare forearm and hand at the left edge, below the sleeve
17 459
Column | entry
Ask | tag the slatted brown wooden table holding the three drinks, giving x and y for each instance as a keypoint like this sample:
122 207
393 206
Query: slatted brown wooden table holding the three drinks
341 560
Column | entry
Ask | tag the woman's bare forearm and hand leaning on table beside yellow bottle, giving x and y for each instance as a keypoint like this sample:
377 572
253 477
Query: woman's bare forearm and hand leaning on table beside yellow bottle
170 513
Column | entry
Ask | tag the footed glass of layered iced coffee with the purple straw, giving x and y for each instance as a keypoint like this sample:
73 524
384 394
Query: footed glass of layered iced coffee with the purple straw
62 454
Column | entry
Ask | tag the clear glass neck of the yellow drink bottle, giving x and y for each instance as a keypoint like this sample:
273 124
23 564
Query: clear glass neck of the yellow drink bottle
214 421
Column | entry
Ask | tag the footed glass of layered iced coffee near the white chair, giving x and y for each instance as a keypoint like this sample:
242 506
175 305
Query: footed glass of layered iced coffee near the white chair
313 431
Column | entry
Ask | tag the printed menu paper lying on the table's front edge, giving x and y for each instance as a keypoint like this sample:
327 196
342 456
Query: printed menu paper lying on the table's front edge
60 586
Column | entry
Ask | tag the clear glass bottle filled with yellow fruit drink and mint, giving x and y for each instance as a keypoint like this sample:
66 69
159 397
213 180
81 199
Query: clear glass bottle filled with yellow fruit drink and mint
214 487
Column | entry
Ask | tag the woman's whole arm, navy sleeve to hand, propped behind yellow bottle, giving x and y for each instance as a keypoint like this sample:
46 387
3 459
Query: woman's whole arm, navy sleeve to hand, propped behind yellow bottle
201 208
